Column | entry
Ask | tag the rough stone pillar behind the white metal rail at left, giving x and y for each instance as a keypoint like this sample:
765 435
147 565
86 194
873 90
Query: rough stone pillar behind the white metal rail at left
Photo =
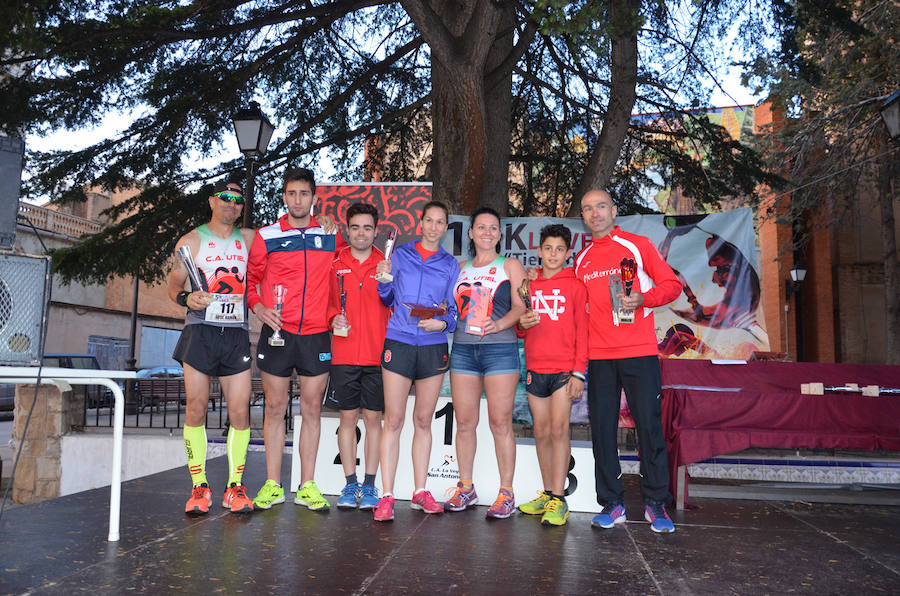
55 413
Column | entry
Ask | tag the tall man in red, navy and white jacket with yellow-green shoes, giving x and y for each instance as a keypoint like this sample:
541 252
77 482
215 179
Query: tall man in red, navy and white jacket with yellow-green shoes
295 253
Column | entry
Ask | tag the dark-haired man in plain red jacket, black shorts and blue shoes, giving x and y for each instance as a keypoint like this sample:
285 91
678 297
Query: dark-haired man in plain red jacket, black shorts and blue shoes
359 325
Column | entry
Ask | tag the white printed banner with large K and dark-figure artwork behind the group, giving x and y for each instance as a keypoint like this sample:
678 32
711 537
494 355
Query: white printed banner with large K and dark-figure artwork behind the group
719 312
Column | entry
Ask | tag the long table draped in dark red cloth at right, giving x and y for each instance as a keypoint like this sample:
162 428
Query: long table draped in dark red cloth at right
713 409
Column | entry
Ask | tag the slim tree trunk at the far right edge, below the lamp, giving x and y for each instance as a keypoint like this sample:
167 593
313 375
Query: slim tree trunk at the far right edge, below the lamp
886 197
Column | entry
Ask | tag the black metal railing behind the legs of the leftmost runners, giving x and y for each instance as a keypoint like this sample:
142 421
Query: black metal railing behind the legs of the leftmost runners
160 403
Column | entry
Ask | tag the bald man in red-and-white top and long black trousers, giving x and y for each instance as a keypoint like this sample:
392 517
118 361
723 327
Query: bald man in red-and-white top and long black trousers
624 355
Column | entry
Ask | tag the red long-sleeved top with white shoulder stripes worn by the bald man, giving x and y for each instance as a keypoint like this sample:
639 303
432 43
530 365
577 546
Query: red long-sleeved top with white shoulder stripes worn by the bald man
654 279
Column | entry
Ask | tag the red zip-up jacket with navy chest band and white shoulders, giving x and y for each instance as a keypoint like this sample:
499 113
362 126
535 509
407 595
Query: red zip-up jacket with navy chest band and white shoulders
300 260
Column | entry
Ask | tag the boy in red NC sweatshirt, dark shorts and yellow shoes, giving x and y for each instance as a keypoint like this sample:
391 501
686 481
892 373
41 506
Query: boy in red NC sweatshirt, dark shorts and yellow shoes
555 329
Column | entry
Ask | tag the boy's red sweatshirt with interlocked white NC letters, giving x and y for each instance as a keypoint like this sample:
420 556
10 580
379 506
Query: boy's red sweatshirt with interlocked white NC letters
559 343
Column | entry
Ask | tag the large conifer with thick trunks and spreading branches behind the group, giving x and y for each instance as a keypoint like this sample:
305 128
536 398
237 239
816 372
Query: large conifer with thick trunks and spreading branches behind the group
554 82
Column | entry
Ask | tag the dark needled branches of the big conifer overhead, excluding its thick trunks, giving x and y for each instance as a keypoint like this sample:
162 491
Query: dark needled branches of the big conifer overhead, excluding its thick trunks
328 73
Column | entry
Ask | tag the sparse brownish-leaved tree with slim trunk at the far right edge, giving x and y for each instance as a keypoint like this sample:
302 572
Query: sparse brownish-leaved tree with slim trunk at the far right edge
834 68
